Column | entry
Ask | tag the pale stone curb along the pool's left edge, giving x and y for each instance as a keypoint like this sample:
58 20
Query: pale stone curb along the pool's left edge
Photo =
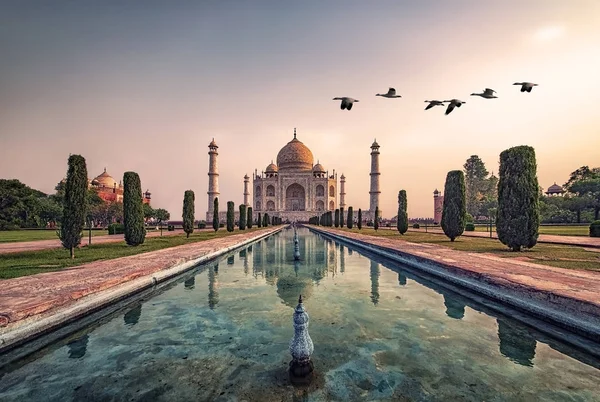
20 333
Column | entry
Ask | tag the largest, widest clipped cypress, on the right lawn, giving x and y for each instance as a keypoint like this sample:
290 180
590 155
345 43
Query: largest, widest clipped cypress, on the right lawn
518 218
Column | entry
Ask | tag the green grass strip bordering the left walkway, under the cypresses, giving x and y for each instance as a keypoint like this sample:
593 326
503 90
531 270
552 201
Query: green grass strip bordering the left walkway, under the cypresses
15 265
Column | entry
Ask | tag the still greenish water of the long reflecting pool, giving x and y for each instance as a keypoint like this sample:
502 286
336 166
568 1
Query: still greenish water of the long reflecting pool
380 333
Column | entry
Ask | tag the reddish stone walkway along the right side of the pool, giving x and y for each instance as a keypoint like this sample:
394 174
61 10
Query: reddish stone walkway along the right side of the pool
575 284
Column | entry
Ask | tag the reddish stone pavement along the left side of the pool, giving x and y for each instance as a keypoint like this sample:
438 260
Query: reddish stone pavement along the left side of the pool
43 294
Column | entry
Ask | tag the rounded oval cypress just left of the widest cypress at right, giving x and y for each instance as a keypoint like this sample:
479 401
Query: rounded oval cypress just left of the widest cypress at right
454 213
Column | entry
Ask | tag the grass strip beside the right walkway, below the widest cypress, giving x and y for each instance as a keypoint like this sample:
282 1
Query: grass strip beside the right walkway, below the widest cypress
571 257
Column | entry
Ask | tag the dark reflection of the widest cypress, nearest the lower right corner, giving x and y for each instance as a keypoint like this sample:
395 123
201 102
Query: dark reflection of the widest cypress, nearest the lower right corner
516 342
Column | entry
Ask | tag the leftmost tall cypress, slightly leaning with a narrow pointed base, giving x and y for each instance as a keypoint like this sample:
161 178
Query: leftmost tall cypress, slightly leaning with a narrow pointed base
74 204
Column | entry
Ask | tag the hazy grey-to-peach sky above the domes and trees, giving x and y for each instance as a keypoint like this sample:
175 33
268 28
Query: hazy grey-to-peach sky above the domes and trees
145 86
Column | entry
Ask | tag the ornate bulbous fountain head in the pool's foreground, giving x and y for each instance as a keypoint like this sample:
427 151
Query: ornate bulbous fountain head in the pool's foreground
301 347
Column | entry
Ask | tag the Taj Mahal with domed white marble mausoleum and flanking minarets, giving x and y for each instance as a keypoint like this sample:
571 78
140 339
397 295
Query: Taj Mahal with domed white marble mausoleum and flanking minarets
294 189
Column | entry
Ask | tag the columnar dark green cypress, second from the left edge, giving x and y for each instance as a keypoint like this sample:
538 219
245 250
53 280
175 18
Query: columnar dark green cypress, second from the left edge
133 210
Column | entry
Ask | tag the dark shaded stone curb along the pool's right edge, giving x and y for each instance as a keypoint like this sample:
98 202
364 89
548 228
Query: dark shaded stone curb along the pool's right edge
578 316
